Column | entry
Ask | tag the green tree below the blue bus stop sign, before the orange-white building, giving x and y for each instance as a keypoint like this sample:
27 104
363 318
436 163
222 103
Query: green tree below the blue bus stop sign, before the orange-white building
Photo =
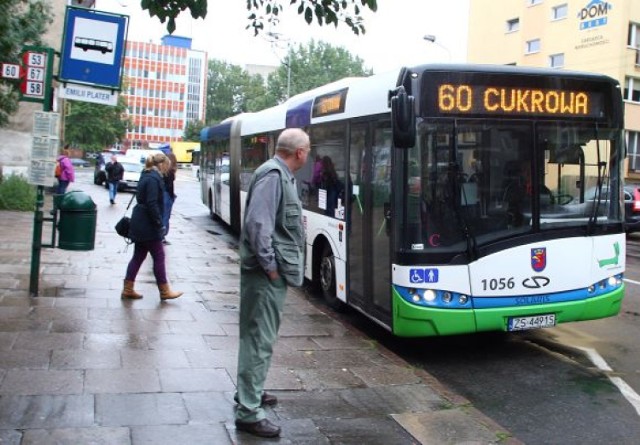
94 127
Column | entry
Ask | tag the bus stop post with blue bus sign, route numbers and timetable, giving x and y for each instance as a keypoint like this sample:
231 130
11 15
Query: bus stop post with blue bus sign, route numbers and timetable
91 60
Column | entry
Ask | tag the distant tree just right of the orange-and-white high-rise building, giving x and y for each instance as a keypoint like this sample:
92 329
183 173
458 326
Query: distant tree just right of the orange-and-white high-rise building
232 90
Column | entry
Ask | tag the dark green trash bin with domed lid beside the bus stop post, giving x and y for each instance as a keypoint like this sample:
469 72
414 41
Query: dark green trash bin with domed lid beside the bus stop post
77 223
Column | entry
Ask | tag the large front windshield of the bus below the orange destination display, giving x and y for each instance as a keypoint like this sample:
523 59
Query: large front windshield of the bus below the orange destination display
474 182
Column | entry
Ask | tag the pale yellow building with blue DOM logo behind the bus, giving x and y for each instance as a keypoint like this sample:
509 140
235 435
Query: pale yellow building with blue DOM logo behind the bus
585 35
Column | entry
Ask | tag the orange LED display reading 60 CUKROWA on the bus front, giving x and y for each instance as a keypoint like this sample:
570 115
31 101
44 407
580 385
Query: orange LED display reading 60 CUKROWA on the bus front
521 101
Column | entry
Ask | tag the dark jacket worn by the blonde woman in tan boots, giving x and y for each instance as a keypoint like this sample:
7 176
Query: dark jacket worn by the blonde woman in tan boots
146 219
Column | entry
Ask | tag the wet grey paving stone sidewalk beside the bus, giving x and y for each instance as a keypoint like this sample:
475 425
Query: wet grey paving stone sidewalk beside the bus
78 365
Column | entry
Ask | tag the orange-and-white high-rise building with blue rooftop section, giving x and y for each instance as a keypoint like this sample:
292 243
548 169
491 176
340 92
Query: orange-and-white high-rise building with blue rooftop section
165 88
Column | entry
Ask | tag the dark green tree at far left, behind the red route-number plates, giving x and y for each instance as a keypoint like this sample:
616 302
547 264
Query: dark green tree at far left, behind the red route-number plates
21 23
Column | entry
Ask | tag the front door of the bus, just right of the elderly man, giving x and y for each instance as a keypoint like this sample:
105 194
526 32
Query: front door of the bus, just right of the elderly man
369 231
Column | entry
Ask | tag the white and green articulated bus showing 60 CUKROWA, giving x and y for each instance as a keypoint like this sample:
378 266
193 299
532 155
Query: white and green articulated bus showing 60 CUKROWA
448 199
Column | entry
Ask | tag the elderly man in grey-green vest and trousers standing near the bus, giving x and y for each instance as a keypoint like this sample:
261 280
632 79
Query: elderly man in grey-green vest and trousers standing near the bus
271 257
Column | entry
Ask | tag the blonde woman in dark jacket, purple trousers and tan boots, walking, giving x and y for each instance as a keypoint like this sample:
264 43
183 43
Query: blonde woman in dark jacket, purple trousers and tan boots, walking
147 230
